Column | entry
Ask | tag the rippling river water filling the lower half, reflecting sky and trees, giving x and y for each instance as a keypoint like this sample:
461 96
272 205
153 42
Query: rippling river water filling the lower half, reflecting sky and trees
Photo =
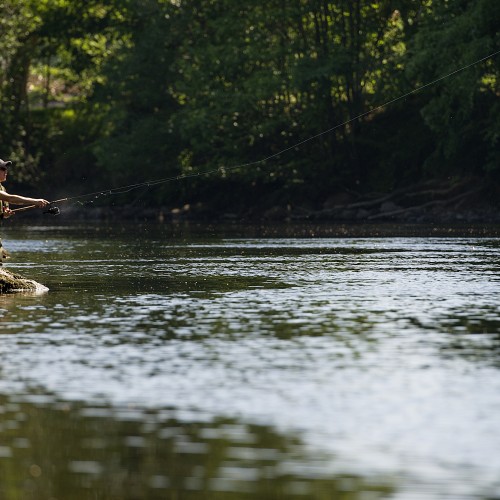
166 363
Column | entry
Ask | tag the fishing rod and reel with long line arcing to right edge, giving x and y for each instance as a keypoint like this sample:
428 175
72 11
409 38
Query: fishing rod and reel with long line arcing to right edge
54 210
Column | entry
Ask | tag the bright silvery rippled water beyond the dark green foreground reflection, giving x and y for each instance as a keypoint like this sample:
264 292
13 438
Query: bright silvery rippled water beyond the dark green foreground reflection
380 354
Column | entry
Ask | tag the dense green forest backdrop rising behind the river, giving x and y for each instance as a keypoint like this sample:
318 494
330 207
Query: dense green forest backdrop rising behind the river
300 106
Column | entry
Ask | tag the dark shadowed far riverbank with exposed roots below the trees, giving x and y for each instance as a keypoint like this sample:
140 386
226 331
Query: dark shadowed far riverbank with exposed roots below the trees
468 201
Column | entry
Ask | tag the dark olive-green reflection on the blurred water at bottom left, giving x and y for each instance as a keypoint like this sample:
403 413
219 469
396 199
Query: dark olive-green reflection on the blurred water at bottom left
57 449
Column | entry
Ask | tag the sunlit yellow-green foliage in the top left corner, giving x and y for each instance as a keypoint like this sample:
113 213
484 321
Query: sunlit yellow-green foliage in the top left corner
51 58
